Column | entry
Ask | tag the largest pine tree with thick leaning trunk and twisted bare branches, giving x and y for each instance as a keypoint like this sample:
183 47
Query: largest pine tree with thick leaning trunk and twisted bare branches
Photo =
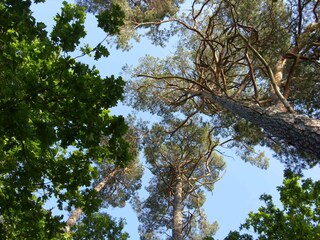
261 66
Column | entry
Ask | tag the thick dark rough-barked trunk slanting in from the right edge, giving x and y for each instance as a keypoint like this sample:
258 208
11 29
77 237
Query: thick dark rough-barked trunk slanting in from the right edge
295 129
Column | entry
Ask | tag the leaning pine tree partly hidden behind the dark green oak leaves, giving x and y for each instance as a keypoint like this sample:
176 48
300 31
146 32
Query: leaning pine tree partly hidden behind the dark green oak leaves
115 184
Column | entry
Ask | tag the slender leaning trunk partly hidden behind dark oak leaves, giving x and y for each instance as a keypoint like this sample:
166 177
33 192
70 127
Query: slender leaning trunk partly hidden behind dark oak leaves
75 215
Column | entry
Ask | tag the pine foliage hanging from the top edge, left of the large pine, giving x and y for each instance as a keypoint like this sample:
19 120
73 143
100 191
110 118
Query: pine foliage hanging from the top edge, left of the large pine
141 14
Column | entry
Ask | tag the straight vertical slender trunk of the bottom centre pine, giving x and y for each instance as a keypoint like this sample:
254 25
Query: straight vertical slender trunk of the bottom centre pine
177 211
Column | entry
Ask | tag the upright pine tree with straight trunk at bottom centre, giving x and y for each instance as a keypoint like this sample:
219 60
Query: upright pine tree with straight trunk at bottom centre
183 163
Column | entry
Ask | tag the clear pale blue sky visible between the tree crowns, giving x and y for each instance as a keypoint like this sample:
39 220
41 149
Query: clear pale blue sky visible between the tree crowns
236 194
